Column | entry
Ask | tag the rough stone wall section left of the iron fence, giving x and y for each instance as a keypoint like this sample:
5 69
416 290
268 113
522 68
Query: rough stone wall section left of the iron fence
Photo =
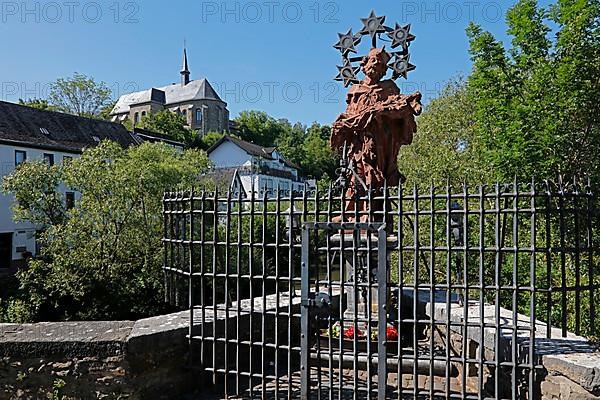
96 360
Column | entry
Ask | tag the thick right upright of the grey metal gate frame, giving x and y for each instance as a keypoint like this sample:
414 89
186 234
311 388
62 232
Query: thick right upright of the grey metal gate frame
382 312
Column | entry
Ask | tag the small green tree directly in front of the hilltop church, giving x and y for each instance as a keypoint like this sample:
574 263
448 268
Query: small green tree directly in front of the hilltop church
173 125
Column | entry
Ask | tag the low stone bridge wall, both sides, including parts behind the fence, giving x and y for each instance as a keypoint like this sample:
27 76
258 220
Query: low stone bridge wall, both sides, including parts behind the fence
147 359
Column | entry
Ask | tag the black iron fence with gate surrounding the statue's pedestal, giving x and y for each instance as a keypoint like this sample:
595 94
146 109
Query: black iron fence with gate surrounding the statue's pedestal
452 292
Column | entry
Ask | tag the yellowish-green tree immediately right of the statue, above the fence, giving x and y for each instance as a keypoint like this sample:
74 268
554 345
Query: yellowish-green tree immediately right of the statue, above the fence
446 147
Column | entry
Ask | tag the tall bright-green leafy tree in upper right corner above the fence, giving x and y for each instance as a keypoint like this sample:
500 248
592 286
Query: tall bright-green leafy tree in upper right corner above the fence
536 105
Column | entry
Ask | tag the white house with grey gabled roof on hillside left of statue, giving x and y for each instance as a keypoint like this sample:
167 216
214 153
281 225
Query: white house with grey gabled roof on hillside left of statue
256 167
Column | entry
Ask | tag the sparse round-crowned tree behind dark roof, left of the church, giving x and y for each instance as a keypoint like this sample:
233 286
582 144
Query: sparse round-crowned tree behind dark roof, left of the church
79 95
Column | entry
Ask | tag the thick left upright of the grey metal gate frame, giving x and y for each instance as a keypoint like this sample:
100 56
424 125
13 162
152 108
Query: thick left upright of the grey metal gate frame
305 319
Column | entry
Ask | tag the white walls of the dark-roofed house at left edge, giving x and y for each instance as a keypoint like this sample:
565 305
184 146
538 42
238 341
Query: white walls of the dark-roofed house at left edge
23 232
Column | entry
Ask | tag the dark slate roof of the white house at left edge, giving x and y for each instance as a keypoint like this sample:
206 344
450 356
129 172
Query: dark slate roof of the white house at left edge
26 126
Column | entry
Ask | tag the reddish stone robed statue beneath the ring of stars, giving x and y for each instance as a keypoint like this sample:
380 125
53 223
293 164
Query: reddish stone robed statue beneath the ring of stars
377 122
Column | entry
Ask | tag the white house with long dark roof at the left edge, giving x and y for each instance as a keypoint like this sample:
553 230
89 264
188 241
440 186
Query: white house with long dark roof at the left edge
30 134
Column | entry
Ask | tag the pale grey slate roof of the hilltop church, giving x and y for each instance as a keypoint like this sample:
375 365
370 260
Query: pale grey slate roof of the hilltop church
174 94
